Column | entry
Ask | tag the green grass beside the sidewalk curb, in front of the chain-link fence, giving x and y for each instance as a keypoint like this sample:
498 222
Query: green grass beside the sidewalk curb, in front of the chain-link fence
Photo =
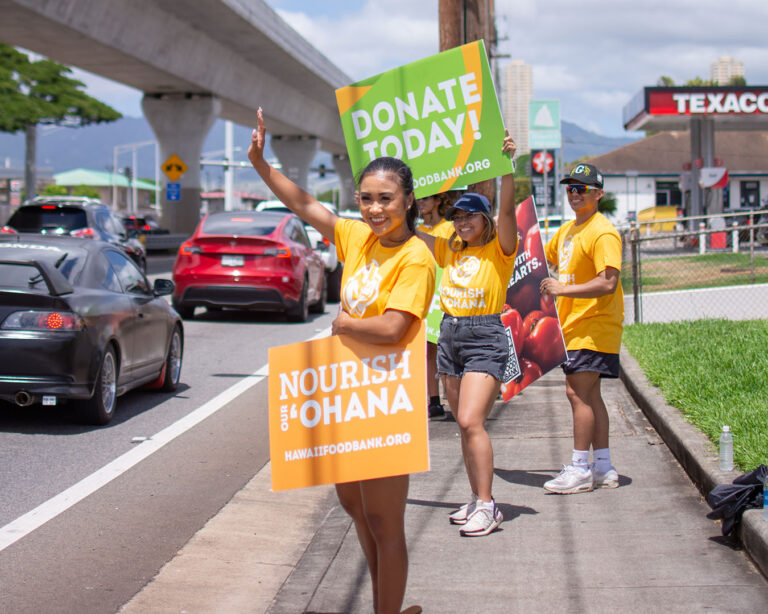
715 372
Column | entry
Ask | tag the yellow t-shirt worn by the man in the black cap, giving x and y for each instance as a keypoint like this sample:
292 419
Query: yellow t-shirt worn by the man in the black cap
580 253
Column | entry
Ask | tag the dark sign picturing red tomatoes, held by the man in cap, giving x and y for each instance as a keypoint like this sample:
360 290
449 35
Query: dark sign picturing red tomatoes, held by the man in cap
536 340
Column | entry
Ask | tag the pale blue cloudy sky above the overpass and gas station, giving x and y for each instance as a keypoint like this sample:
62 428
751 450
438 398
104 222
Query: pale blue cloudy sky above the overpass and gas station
592 55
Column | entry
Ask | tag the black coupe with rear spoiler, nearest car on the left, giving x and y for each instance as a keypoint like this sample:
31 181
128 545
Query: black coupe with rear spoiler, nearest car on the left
79 321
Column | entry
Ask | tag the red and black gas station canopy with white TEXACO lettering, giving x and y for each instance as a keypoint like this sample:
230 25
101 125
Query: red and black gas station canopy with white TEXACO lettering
672 108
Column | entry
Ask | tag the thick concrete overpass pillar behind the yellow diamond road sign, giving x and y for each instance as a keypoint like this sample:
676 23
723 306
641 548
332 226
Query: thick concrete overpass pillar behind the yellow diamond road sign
181 123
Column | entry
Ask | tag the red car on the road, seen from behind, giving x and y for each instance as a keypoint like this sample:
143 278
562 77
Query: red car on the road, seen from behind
254 260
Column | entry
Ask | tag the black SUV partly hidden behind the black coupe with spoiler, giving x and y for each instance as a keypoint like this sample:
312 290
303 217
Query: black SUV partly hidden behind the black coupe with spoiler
77 217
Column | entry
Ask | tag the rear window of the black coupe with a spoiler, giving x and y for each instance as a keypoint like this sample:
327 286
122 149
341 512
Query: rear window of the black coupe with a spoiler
17 274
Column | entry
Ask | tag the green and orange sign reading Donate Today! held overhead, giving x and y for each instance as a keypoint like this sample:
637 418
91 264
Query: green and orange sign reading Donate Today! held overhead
440 115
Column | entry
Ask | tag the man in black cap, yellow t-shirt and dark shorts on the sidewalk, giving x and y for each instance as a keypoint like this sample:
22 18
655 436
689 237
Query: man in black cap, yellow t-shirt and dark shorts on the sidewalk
586 252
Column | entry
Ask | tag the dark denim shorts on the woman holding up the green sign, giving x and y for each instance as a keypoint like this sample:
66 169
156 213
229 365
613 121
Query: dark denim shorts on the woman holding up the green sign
476 344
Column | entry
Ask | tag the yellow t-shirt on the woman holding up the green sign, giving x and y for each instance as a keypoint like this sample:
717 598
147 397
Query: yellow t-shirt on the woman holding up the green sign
475 279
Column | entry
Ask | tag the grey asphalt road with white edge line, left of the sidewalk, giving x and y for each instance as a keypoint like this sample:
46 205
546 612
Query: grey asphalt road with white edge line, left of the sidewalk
92 556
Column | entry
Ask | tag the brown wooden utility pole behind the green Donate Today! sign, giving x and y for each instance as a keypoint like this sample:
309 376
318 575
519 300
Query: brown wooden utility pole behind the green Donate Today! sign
465 21
